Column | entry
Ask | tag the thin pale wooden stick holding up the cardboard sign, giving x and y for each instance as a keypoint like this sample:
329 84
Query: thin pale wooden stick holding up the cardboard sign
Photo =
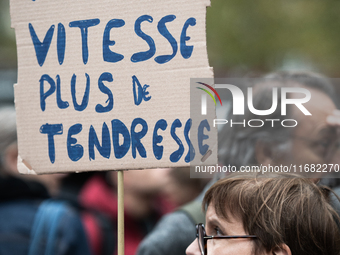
120 191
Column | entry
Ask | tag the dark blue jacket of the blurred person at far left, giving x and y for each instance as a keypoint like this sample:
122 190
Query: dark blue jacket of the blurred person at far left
19 202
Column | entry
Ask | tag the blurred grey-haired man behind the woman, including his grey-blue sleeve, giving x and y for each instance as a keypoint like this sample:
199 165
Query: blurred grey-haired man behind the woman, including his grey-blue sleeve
314 140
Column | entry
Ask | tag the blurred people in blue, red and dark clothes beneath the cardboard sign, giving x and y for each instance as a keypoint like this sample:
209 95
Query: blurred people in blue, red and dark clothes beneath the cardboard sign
89 197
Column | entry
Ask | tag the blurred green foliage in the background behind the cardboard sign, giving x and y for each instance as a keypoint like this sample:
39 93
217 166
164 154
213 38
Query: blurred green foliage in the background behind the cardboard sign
251 37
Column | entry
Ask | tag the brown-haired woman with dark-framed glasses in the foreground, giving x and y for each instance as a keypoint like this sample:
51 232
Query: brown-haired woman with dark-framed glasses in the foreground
249 215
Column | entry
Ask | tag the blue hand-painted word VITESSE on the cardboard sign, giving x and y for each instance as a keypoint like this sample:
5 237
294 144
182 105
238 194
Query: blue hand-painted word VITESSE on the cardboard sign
42 47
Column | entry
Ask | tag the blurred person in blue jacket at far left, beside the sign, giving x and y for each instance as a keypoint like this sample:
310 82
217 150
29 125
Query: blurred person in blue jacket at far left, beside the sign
28 226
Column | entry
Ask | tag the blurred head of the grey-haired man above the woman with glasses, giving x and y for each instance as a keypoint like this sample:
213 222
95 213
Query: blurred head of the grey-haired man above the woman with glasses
312 141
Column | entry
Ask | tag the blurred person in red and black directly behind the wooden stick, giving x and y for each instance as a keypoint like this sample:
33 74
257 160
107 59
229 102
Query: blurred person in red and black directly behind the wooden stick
94 193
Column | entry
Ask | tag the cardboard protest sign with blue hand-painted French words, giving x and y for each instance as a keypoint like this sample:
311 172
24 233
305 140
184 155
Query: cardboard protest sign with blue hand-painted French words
105 85
